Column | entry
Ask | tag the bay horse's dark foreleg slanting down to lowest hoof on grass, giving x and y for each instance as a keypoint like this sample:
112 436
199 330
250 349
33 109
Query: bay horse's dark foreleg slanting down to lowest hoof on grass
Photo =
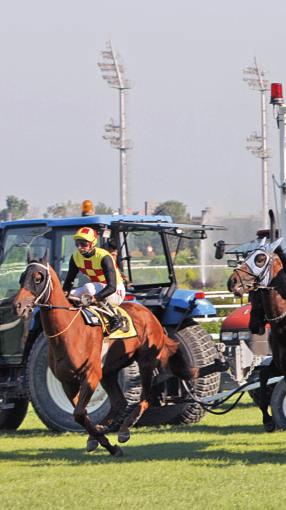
81 417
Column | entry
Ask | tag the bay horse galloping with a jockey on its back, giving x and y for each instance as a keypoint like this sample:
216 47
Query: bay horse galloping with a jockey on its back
74 353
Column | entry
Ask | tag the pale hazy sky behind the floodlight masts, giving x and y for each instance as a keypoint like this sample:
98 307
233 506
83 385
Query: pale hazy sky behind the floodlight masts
188 111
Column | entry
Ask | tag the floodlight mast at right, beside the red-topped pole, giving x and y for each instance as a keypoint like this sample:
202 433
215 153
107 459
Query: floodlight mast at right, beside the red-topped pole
254 76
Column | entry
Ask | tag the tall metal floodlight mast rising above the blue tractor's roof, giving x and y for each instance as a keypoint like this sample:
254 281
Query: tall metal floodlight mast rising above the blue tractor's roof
113 73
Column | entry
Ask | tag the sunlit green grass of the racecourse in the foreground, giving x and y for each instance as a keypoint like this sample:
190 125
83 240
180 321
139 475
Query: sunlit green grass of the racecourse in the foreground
224 462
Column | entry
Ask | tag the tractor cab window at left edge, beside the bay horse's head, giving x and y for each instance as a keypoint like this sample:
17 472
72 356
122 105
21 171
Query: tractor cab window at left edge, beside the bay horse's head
15 245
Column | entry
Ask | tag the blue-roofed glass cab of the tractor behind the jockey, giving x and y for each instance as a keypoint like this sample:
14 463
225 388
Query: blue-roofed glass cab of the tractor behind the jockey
148 249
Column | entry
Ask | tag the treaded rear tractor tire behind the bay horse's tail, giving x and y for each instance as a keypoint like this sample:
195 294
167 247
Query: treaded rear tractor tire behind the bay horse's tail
198 350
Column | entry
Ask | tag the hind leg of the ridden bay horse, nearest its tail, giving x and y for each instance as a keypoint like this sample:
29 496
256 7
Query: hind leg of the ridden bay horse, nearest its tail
146 373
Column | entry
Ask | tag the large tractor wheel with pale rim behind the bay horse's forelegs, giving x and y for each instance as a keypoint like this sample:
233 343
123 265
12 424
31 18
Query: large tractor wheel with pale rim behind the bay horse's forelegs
48 398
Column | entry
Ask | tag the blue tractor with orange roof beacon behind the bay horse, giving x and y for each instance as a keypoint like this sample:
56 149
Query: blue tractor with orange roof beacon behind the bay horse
148 248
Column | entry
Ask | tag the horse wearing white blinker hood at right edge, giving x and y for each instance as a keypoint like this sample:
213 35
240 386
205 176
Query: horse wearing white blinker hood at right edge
263 275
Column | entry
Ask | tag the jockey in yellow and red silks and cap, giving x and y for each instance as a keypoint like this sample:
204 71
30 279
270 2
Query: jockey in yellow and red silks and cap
106 283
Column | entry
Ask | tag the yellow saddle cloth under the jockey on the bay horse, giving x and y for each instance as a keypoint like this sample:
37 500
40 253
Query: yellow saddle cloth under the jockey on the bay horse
93 317
